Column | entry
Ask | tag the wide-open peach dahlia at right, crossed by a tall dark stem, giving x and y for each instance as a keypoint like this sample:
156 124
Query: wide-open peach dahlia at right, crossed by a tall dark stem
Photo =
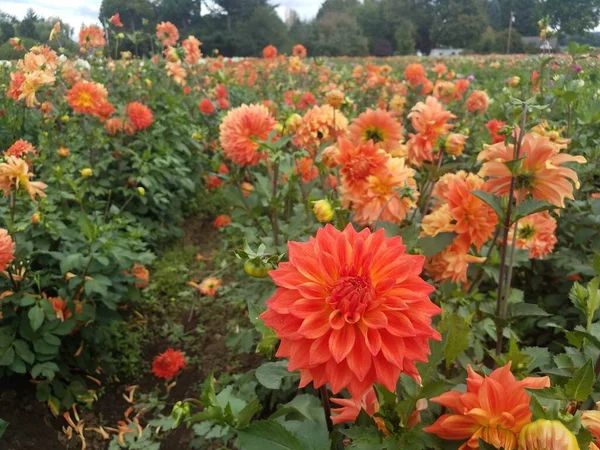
541 173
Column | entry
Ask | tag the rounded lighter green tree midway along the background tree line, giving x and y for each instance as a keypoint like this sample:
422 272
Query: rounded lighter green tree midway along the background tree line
339 34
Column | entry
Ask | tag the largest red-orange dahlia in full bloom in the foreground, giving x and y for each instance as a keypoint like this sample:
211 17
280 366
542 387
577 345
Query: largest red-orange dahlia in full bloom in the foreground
351 310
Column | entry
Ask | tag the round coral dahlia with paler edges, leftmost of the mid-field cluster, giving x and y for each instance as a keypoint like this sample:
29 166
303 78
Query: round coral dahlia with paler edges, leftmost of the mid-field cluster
239 131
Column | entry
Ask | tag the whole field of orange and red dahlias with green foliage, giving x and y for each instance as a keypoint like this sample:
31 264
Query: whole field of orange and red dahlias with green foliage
298 253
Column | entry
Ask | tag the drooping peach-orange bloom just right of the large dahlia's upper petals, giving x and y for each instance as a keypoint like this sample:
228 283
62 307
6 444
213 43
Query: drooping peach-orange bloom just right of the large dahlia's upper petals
452 263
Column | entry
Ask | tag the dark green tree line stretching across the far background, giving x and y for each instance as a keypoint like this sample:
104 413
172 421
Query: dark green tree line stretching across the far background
342 27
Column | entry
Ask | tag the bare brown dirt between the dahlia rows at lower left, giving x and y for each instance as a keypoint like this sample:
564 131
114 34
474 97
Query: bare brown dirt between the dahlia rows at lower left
33 427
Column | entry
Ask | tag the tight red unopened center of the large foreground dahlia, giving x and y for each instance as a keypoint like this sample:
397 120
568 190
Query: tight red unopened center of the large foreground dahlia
351 296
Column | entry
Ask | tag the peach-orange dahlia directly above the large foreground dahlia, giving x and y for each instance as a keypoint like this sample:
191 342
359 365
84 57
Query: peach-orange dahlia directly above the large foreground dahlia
390 194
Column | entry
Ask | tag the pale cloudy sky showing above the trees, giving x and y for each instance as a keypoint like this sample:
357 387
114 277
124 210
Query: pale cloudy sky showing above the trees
76 12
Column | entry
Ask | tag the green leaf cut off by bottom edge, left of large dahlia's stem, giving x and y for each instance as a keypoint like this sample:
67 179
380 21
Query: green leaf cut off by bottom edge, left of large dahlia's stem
268 434
